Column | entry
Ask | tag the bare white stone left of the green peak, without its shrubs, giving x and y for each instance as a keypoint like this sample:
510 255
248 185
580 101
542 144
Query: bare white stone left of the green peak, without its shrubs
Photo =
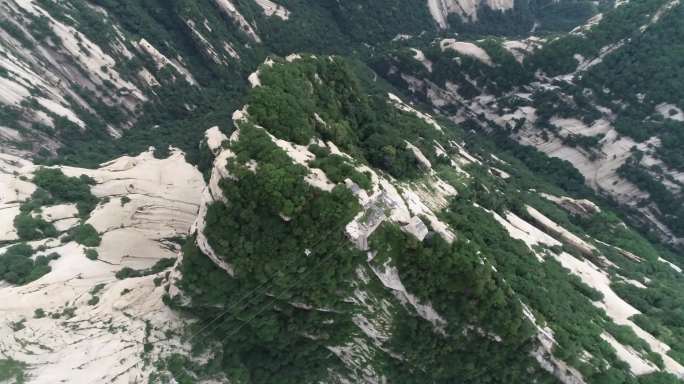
103 342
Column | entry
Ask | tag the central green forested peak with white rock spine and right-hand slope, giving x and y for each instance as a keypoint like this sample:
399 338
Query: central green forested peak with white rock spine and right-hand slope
429 271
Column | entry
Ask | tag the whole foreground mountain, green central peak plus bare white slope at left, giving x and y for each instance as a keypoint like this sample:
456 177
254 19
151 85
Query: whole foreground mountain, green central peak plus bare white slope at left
342 236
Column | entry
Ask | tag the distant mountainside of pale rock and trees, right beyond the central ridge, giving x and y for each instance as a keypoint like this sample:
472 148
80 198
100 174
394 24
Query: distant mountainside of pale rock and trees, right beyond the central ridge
562 96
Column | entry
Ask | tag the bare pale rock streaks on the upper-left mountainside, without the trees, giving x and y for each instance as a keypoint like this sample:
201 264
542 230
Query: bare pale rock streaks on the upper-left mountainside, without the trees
53 72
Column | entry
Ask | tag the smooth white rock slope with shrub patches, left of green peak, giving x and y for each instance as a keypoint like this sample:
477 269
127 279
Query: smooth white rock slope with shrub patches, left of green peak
76 318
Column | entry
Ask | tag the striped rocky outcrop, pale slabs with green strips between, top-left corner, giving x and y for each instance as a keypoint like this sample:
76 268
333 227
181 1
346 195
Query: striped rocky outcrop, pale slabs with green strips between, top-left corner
51 73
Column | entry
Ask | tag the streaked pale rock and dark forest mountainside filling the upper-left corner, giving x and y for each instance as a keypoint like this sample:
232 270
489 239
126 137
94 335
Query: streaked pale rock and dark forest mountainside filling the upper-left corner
80 73
